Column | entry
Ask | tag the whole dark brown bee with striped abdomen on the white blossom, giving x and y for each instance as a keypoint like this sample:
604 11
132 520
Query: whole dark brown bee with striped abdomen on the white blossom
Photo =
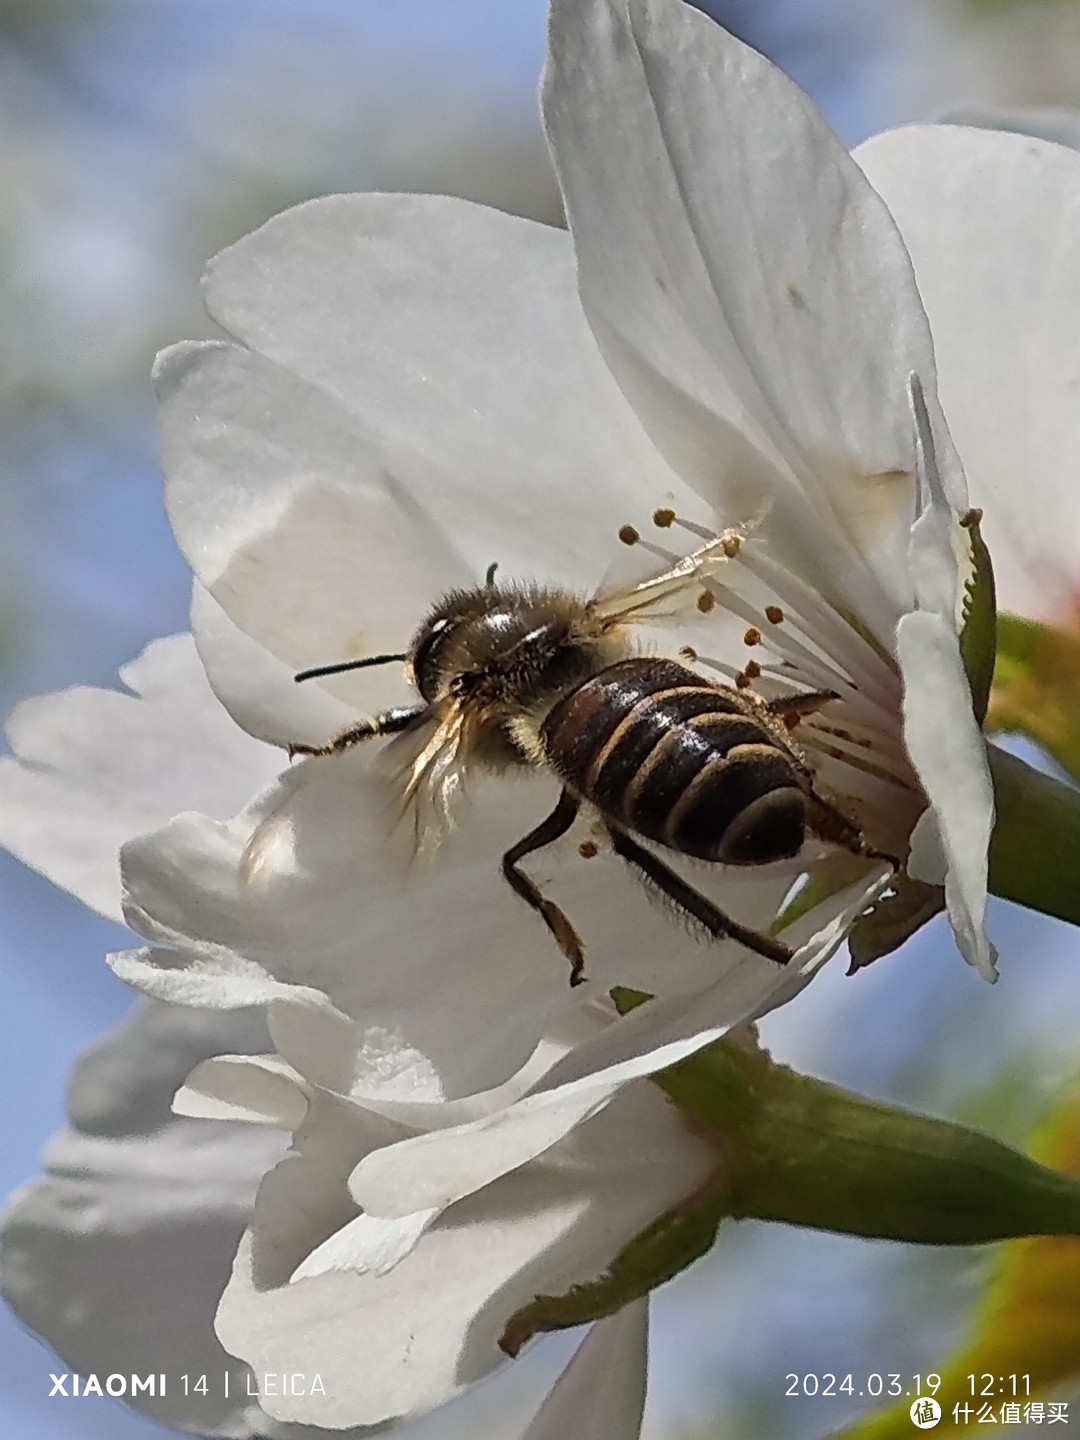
529 676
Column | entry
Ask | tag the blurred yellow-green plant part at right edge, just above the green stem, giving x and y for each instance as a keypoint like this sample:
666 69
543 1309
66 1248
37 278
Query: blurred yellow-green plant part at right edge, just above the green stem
1038 688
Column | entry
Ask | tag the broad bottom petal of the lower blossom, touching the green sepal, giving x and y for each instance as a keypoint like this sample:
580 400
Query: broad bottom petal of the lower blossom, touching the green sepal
431 1327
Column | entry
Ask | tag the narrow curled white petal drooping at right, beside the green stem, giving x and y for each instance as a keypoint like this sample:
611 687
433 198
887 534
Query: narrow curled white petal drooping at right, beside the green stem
951 758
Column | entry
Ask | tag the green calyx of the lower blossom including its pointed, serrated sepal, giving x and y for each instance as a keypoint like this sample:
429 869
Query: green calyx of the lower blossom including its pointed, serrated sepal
796 1150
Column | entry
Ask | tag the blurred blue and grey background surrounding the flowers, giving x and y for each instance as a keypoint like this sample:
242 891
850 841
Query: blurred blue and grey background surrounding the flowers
140 138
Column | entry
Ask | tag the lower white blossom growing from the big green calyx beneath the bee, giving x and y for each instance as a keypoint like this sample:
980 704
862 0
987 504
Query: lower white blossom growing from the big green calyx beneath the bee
390 1252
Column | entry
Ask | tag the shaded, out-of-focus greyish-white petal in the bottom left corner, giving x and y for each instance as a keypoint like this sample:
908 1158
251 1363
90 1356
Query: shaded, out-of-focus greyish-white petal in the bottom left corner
119 1255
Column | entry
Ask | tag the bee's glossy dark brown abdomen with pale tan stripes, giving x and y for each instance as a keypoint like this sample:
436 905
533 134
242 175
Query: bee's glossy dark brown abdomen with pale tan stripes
686 764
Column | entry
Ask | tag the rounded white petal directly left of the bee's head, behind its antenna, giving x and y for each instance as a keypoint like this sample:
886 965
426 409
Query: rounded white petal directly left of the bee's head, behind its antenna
286 516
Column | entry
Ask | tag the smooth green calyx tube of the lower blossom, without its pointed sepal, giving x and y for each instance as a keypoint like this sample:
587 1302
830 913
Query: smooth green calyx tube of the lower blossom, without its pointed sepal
814 1156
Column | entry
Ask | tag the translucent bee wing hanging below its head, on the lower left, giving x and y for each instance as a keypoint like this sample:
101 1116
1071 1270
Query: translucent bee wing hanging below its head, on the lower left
427 768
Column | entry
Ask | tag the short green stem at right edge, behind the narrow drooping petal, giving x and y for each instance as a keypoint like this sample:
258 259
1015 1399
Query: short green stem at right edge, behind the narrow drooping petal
1035 856
